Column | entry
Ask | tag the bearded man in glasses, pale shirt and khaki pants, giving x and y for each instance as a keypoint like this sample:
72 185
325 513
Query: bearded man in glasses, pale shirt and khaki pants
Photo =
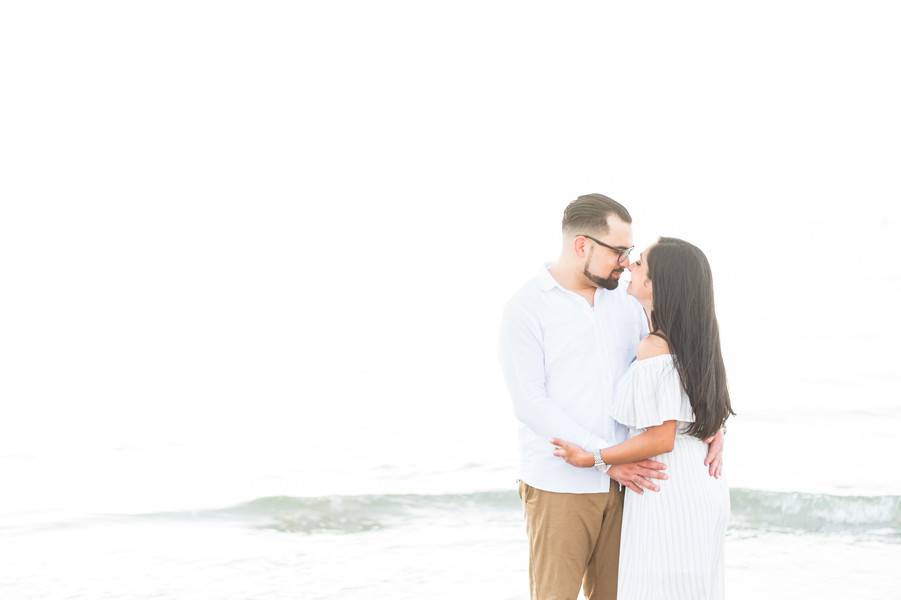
567 336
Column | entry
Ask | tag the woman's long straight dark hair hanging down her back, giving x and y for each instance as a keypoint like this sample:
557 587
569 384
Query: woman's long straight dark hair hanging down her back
684 314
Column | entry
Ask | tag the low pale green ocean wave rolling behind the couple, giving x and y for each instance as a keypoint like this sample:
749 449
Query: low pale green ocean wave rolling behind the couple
752 510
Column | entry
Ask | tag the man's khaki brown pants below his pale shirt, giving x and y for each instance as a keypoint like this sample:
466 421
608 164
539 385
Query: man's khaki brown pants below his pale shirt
573 541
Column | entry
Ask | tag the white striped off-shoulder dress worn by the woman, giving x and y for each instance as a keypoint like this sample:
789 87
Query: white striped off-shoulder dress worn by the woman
672 540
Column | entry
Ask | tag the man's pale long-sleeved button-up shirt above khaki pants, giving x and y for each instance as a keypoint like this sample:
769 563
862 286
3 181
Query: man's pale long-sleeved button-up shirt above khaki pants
561 358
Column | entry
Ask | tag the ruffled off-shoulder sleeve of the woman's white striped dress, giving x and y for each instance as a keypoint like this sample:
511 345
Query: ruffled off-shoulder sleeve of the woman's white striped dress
650 394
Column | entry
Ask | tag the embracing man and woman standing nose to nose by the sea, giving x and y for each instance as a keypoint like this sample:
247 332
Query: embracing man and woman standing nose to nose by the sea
622 401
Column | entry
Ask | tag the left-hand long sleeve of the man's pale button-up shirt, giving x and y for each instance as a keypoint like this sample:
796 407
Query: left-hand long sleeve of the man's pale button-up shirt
522 362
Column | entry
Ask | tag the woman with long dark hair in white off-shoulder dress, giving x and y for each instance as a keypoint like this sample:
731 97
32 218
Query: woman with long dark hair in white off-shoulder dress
672 398
